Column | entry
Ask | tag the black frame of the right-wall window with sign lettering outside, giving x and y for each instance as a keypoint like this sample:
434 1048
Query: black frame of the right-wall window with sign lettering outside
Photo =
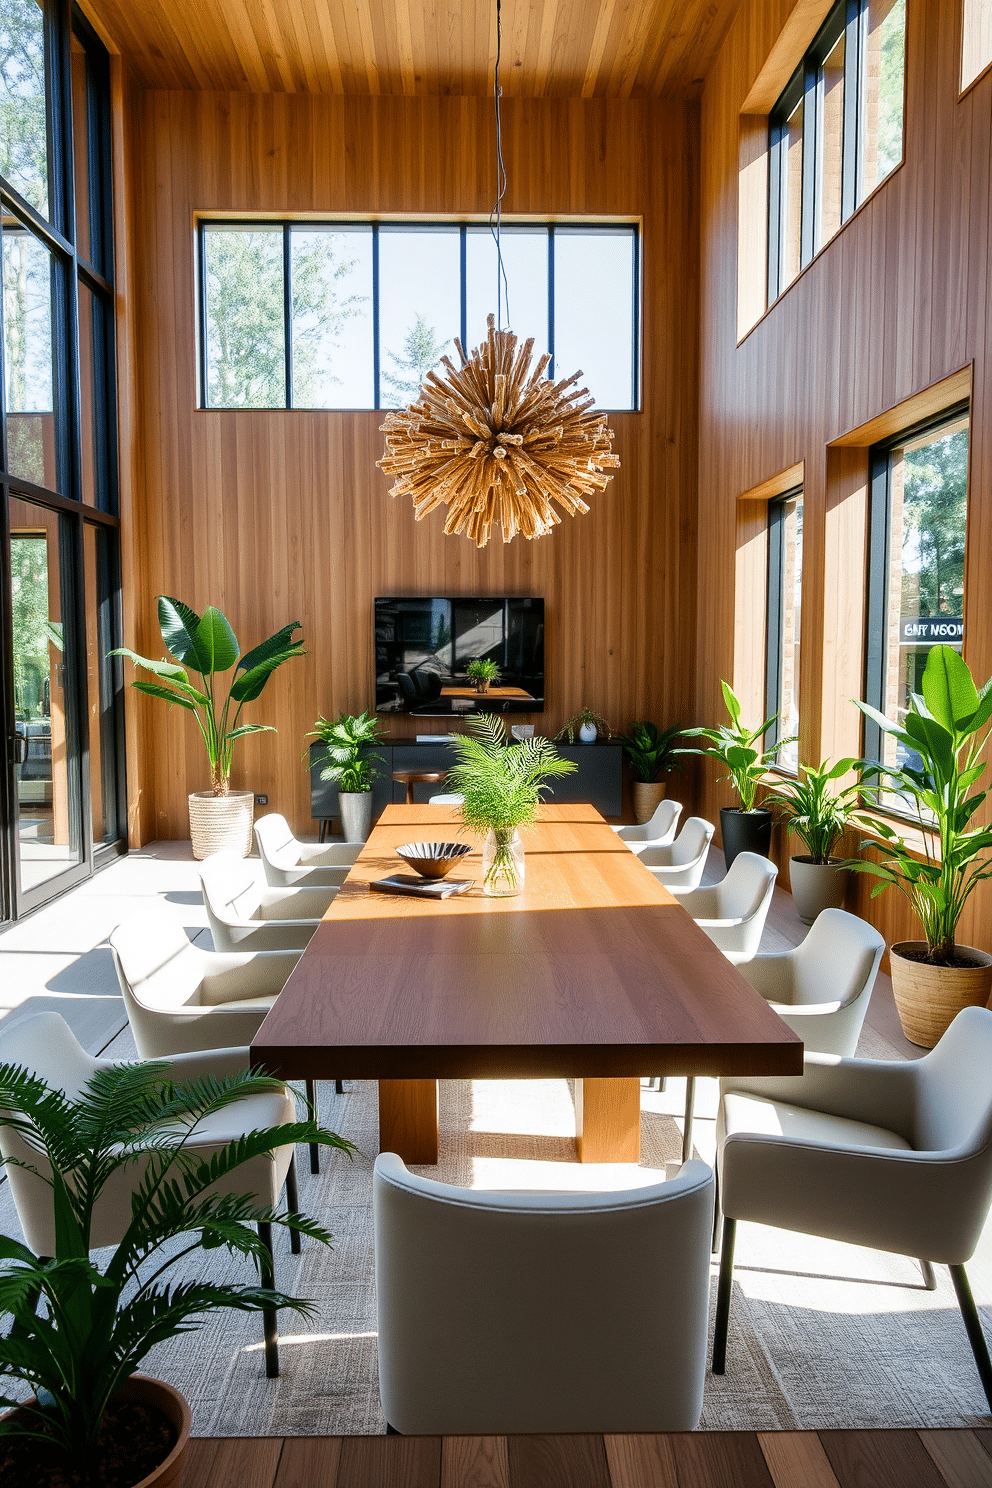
880 544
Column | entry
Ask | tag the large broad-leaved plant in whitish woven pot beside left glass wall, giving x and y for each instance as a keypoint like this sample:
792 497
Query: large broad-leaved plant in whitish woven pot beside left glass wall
221 818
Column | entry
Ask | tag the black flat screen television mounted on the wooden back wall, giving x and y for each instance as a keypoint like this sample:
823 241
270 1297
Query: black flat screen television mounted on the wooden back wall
423 648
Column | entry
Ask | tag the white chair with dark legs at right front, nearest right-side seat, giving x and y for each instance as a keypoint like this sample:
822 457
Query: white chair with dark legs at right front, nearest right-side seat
896 1155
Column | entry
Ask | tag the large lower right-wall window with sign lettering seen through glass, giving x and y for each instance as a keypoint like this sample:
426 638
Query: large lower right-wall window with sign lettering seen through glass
918 526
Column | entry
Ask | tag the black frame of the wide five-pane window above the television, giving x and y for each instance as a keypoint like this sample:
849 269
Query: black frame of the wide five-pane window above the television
554 230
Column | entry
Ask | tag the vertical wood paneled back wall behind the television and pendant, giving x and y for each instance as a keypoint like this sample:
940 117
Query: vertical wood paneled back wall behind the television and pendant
283 516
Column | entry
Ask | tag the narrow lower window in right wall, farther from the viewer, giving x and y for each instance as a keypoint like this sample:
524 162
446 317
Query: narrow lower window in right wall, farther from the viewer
785 611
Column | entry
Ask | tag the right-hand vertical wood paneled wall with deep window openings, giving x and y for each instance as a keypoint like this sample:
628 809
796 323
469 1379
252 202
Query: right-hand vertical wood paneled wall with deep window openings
898 301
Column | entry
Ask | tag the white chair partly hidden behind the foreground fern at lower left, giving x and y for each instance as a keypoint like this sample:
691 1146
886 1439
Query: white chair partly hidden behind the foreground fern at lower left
45 1045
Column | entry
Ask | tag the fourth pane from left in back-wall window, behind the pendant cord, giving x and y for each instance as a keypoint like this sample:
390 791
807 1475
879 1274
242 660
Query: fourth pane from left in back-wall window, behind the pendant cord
526 291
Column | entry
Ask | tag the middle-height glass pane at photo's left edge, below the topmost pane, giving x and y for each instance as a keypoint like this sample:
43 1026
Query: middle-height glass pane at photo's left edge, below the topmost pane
28 358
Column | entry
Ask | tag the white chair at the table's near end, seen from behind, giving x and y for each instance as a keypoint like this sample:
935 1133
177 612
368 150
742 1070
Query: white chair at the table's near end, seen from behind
541 1312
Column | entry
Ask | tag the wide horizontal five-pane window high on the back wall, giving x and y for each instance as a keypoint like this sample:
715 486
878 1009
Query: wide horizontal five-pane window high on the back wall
358 315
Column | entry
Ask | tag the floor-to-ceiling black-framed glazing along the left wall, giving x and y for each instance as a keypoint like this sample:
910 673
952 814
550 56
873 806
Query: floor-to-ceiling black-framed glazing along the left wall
62 797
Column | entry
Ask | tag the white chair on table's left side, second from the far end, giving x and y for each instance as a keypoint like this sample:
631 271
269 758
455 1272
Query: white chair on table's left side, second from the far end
245 914
